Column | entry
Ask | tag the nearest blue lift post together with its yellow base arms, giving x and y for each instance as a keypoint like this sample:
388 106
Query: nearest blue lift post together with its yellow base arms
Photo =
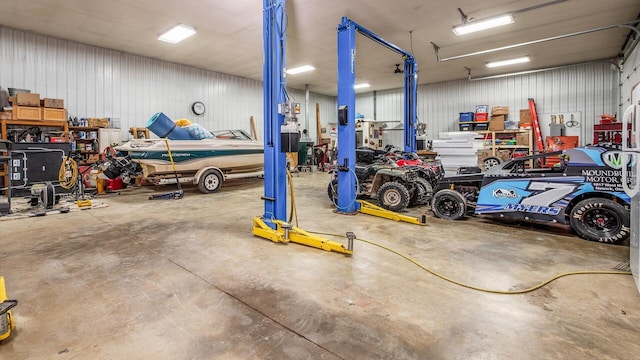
278 111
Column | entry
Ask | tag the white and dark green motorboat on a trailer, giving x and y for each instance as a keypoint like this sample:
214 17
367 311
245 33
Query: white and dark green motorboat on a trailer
229 154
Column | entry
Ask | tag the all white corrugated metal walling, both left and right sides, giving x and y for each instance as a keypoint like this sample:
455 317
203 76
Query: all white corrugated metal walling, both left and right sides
98 82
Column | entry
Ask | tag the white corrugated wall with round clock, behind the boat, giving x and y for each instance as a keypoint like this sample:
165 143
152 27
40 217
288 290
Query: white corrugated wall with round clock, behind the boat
129 89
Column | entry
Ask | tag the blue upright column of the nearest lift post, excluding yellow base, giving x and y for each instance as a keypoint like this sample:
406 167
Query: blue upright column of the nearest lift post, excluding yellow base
274 43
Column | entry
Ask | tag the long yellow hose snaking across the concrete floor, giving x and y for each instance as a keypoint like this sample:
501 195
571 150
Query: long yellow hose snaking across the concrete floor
472 287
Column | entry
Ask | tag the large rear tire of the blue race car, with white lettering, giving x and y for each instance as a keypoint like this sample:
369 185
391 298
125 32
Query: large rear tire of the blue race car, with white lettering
601 220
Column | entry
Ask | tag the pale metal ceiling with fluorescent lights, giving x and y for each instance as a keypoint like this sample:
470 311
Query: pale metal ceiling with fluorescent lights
229 38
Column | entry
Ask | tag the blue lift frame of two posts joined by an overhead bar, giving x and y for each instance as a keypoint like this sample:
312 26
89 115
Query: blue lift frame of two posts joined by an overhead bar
346 107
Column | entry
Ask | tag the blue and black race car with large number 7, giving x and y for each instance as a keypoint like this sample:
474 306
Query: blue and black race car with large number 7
583 189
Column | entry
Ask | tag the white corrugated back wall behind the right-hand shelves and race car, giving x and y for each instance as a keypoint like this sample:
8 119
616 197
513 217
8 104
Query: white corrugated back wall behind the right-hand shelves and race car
589 89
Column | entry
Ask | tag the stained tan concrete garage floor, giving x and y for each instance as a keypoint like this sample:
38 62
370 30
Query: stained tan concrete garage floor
185 279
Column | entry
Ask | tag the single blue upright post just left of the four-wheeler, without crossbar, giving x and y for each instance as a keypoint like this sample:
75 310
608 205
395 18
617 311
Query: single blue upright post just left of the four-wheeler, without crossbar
347 131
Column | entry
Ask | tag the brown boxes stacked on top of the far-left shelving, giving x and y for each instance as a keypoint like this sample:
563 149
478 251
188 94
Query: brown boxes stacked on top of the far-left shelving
29 106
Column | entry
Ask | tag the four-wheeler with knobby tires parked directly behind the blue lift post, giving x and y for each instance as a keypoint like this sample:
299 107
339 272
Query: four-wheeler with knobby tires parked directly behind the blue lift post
395 188
